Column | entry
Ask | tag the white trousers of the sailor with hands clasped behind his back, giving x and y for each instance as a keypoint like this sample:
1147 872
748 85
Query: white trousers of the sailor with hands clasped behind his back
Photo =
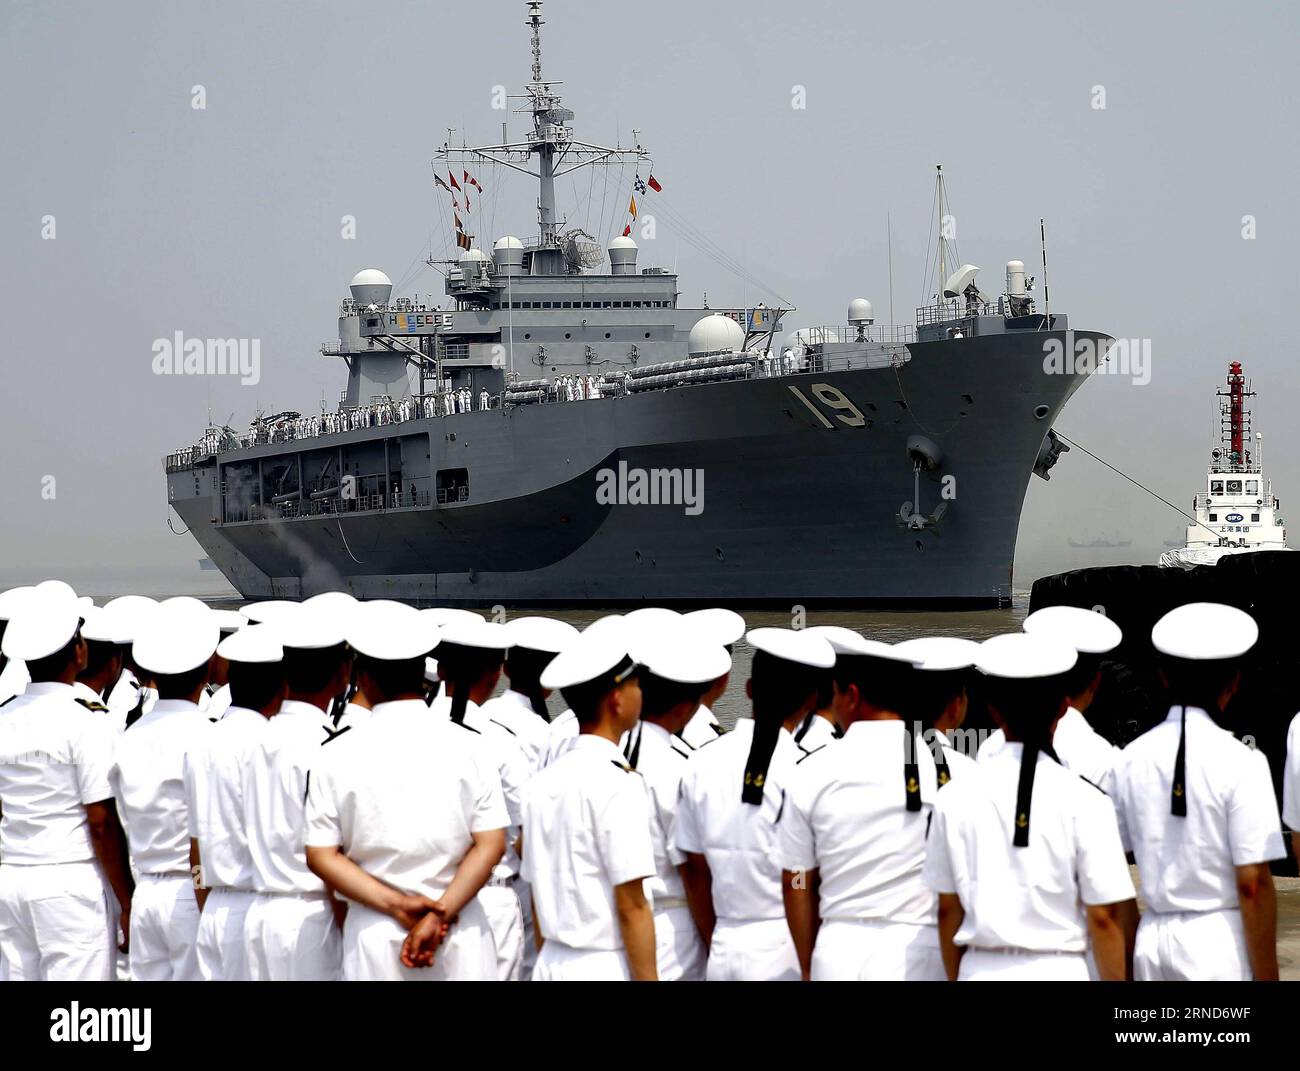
372 949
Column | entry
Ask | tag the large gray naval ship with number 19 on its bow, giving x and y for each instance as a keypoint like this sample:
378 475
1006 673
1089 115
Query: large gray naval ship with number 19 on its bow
565 432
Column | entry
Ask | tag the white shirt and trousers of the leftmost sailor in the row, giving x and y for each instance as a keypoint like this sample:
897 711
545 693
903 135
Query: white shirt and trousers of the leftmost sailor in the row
55 758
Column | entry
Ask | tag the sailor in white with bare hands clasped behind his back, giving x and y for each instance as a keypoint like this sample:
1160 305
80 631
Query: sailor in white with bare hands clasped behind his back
405 819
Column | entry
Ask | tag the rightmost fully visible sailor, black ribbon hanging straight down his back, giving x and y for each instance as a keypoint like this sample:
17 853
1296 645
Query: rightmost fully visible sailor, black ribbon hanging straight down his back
1197 809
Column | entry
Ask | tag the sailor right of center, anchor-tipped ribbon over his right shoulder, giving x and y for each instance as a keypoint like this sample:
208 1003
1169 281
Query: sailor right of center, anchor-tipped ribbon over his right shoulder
853 838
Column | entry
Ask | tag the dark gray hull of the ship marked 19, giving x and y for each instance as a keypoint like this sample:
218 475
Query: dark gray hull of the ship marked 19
792 513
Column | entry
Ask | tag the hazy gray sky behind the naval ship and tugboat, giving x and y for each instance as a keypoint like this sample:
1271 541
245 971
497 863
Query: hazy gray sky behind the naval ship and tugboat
226 222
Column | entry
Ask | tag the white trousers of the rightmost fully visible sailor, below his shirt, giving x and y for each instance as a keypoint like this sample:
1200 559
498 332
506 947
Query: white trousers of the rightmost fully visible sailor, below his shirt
1191 947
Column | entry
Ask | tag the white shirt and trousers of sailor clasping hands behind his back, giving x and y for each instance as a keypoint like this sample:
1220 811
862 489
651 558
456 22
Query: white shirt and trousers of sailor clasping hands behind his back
402 797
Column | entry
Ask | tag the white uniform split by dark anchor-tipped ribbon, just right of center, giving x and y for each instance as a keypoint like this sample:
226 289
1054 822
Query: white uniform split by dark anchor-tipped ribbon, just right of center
752 940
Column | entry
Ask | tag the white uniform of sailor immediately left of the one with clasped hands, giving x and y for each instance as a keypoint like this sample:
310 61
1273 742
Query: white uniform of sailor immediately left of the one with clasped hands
291 927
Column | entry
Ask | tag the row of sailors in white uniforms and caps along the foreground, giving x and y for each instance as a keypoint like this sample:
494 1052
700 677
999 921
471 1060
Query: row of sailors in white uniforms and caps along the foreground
834 835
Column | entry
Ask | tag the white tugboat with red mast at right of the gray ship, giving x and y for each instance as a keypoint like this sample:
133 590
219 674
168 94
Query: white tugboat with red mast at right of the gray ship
1236 511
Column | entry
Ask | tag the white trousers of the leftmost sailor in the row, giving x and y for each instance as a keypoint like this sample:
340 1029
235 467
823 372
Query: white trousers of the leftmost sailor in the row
54 923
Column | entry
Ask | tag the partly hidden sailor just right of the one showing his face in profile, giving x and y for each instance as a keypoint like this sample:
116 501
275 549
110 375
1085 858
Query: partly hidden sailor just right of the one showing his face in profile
678 671
